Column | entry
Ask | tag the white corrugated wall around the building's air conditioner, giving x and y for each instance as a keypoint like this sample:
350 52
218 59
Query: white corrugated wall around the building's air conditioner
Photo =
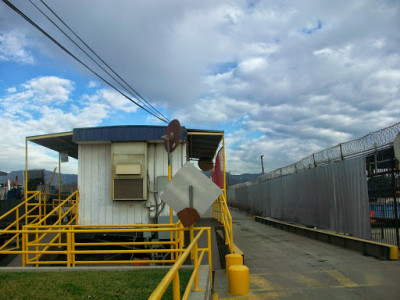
94 182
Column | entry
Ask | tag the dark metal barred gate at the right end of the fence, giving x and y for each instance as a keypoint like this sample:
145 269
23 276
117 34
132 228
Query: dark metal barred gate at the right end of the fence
384 191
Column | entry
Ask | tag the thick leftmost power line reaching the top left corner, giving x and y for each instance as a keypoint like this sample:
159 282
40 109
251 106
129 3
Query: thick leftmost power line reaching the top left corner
77 59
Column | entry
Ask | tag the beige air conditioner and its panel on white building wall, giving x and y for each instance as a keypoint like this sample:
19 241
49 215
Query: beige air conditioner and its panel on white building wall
129 171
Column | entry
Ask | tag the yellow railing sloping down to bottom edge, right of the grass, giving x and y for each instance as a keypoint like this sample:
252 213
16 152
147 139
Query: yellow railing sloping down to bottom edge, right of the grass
173 273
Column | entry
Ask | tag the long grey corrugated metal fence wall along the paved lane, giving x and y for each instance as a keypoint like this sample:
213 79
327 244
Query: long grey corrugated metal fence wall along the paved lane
333 197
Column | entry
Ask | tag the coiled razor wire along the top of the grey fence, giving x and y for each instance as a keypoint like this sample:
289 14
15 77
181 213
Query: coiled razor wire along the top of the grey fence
370 142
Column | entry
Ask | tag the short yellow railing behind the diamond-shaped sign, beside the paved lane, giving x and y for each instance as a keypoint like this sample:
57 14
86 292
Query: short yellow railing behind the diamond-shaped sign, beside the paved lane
222 214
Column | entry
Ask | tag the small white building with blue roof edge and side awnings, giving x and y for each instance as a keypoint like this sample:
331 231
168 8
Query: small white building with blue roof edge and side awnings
122 169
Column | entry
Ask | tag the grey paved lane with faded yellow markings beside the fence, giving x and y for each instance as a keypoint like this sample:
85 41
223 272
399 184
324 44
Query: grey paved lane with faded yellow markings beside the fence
284 265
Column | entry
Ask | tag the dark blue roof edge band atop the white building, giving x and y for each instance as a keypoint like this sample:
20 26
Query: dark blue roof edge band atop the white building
121 133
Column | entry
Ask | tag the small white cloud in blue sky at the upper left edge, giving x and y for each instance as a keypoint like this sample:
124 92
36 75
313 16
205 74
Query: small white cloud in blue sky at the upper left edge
13 47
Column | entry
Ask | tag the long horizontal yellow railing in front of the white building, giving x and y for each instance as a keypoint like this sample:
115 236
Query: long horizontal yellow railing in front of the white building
60 240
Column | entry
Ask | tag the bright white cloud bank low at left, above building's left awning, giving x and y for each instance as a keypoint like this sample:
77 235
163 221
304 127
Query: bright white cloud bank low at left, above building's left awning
46 105
